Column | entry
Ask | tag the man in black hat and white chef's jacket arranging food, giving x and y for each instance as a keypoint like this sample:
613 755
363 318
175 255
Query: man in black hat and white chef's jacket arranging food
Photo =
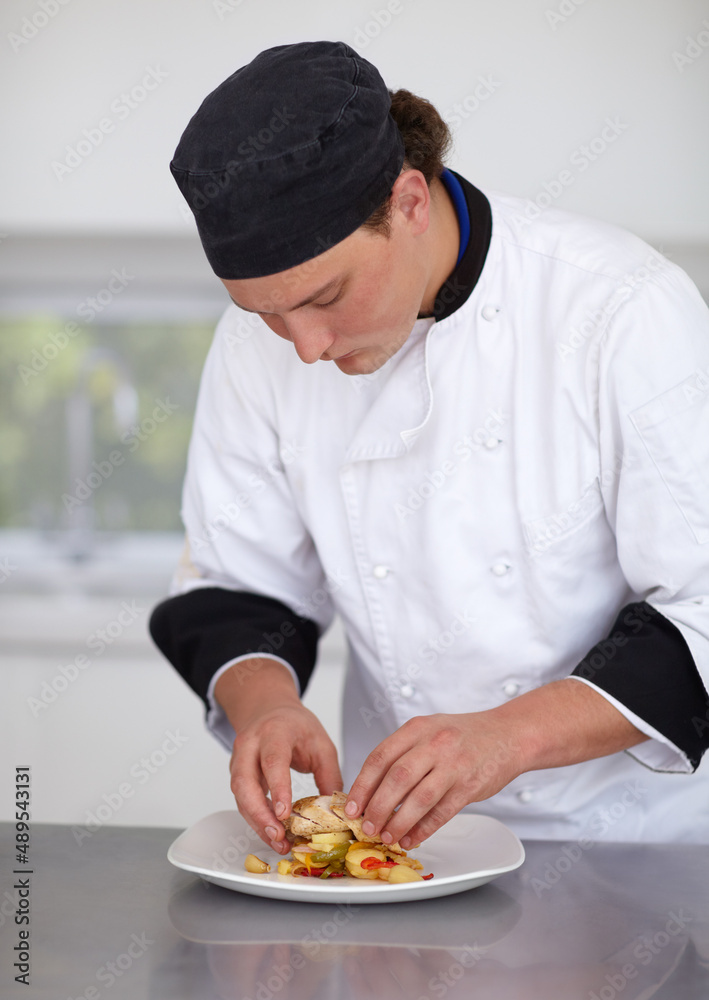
476 430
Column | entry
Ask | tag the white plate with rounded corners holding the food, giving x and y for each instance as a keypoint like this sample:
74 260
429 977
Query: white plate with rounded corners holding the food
468 851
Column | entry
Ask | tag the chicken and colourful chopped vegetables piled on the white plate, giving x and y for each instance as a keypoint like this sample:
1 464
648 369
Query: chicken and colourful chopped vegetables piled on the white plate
328 844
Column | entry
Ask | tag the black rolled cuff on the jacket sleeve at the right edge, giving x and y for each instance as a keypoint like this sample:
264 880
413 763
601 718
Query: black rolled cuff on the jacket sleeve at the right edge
647 666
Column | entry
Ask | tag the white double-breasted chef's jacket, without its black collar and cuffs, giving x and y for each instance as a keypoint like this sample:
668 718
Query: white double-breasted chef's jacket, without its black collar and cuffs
479 509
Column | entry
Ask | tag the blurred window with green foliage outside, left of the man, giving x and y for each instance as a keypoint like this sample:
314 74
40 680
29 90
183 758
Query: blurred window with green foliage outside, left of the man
134 477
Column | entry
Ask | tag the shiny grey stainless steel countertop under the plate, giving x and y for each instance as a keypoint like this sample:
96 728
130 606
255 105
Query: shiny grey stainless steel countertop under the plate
110 917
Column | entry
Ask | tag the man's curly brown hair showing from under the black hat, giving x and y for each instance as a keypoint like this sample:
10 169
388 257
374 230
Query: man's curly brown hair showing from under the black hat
427 141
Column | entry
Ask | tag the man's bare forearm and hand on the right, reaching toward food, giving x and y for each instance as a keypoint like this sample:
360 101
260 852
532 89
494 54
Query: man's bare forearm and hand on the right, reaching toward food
435 765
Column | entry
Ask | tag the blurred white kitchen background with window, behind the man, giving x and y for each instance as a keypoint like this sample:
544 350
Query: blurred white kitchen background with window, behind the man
107 307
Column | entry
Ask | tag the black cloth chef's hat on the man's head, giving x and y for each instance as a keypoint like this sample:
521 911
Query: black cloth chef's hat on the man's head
287 157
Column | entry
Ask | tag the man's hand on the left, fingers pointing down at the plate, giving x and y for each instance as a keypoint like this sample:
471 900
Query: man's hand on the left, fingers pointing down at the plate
274 732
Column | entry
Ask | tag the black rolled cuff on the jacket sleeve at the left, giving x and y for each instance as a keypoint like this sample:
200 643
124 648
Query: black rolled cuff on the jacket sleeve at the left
203 629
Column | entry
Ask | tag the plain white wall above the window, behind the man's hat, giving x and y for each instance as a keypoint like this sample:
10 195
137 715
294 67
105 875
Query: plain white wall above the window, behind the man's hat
555 84
